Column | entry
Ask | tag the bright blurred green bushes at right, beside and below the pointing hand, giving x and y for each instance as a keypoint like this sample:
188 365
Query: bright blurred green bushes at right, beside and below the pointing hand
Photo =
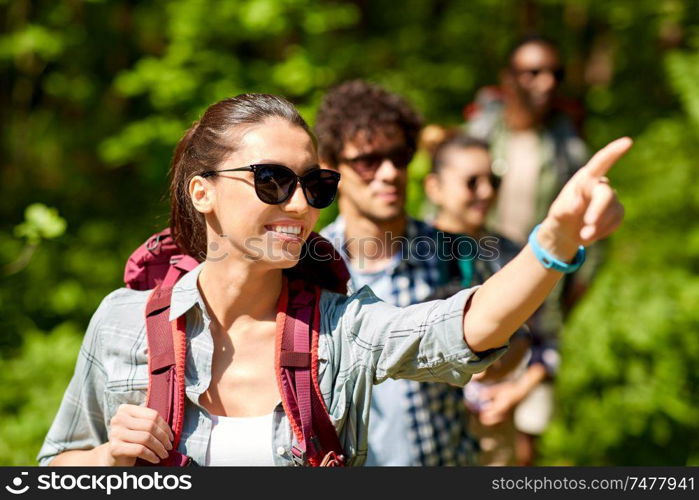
628 388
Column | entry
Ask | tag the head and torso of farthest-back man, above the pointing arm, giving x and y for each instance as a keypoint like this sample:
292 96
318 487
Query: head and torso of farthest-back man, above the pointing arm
535 145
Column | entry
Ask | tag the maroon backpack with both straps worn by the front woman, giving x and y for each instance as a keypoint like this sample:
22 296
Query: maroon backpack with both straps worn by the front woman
158 264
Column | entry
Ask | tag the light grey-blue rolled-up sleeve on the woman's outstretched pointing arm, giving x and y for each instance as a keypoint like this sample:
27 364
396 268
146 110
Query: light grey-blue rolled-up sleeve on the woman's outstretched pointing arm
423 342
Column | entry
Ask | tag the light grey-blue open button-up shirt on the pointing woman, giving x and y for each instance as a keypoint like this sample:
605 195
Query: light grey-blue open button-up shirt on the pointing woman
362 341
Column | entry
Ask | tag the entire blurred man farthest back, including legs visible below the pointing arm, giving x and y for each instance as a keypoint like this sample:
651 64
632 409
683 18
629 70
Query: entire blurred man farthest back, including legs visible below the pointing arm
536 149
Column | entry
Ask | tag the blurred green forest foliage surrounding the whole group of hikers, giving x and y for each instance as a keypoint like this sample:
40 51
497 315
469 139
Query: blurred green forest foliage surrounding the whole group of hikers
96 95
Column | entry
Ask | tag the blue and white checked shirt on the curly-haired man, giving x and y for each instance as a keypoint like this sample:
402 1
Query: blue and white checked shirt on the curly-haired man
438 416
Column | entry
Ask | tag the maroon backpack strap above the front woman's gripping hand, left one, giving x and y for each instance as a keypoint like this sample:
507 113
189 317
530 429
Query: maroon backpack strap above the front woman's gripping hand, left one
166 369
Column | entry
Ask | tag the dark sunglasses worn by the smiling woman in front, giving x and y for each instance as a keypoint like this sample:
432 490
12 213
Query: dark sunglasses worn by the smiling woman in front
274 184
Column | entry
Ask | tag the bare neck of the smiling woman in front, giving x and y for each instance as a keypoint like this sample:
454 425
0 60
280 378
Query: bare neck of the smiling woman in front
232 289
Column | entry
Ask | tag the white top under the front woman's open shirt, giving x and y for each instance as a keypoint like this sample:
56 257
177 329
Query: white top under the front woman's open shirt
240 441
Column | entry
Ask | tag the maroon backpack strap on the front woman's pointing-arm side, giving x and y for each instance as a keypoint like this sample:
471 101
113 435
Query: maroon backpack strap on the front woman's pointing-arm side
298 320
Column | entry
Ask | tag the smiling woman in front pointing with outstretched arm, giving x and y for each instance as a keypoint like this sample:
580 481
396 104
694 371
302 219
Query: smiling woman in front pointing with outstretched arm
246 191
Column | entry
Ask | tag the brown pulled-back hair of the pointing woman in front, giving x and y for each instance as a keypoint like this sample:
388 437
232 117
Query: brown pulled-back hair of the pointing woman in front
204 146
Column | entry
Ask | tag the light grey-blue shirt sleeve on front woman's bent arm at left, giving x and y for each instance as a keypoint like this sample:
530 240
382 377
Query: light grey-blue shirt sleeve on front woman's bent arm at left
79 423
